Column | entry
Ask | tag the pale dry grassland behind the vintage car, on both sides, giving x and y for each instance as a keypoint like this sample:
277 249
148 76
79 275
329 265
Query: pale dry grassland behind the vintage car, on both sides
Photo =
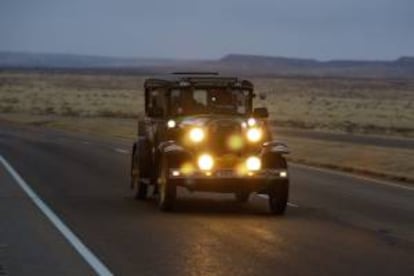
361 106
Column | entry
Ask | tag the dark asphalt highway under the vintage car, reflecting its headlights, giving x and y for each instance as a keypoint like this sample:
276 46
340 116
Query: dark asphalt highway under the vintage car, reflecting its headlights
336 224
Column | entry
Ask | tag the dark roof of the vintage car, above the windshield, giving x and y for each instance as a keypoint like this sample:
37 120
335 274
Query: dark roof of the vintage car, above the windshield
196 79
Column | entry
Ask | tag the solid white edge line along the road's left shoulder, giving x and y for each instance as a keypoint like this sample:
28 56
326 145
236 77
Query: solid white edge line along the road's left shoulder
87 255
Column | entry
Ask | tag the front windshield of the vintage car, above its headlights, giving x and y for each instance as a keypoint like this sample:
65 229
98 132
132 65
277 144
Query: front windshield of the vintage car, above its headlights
191 101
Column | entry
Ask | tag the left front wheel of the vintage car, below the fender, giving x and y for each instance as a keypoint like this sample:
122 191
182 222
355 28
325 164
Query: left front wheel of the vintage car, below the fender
166 188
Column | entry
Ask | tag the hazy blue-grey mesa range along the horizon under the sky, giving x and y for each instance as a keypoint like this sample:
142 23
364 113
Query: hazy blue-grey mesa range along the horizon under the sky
249 65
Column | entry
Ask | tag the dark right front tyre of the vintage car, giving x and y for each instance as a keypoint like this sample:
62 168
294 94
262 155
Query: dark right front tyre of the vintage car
278 198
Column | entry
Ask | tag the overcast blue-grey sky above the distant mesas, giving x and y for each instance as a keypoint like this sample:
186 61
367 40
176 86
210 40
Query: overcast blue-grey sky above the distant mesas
322 29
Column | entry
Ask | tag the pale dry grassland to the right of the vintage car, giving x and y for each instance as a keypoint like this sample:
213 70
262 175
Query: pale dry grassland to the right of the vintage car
360 106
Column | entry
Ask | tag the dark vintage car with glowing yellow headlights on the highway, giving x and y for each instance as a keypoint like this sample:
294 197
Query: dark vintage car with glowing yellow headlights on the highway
200 131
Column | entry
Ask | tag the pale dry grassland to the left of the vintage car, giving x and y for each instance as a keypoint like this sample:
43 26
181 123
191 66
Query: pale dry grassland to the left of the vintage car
71 95
